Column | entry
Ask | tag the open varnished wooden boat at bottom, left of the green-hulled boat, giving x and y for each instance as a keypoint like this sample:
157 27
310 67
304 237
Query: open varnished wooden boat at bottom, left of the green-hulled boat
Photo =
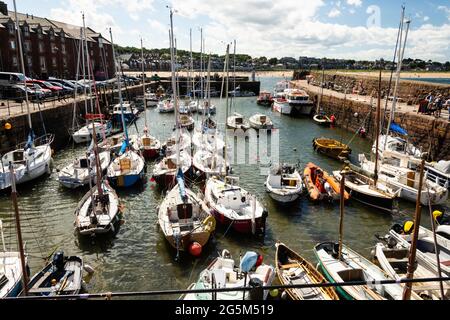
293 269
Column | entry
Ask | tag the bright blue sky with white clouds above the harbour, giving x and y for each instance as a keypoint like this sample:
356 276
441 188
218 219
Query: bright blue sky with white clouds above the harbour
351 29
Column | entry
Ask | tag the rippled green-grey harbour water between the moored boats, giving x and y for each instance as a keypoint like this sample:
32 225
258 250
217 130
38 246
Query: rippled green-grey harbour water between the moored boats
139 258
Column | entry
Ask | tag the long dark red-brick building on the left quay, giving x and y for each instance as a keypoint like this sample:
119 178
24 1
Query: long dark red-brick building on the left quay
50 47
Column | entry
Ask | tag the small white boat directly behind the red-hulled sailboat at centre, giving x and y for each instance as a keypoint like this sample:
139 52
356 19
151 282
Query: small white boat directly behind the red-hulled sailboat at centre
207 164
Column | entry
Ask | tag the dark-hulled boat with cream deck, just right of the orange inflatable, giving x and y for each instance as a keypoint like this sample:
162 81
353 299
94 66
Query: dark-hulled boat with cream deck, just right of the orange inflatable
363 189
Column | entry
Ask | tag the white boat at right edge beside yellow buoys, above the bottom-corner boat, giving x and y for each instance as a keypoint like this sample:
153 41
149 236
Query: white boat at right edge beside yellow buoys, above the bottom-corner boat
426 253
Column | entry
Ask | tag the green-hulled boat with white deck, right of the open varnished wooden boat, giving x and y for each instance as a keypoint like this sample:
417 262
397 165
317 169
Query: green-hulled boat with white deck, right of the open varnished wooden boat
352 266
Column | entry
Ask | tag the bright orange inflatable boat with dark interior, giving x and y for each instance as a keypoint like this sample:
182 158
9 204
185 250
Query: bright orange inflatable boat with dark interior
320 185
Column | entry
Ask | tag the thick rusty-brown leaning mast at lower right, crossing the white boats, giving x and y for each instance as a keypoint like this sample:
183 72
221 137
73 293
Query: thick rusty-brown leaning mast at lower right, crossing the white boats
413 248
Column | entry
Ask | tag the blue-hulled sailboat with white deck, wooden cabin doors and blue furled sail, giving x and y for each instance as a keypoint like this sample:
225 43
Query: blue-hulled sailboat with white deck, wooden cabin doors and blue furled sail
127 169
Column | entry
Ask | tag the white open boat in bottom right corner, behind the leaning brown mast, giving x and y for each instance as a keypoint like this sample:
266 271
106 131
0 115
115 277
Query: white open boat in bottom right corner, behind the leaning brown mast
393 259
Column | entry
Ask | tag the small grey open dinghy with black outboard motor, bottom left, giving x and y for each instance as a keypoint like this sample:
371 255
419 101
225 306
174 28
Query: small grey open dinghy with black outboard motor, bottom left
63 276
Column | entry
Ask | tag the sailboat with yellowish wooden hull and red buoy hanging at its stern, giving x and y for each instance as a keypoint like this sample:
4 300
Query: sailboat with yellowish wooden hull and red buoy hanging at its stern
184 218
